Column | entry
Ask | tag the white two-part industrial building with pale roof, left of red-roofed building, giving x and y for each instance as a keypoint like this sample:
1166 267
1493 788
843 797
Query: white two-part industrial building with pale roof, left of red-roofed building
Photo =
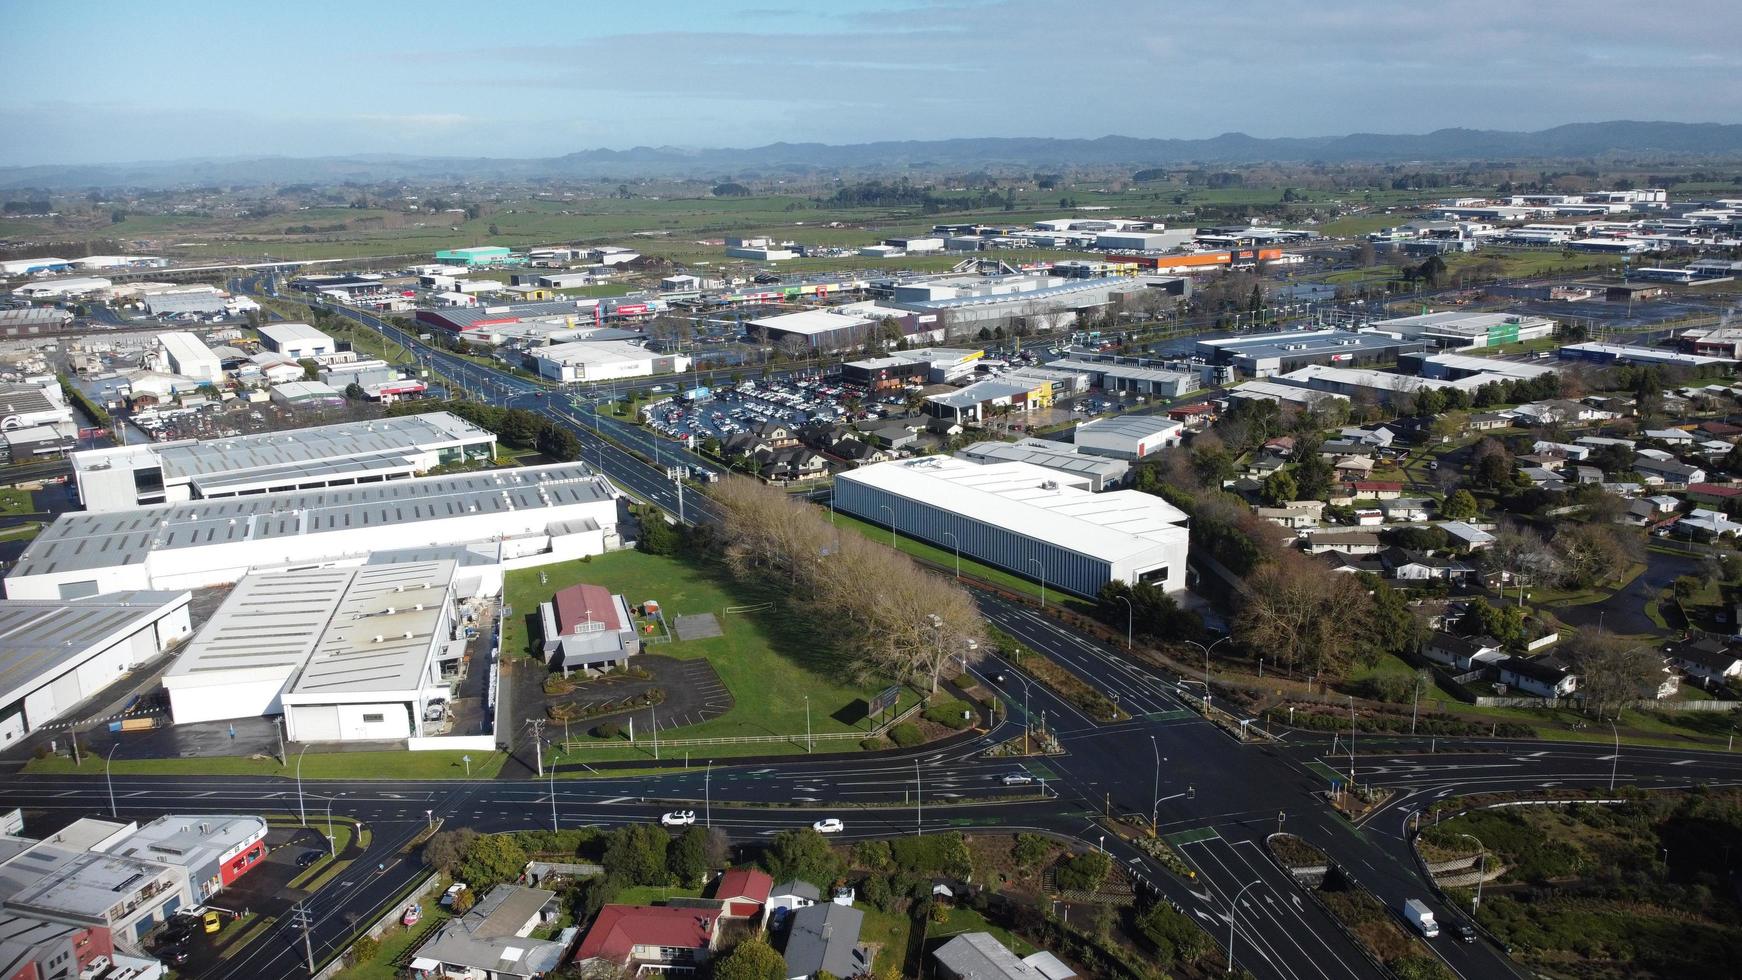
344 654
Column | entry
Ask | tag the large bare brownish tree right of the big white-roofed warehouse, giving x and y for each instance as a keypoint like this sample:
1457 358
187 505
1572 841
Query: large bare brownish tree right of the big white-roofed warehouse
1304 615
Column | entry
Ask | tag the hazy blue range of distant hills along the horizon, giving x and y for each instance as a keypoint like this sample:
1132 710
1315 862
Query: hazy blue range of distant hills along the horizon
1445 145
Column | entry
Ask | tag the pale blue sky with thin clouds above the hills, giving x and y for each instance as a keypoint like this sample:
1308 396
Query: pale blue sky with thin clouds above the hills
111 81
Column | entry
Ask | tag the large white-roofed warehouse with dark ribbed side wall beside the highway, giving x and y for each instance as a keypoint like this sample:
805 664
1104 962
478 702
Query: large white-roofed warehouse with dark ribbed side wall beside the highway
1025 520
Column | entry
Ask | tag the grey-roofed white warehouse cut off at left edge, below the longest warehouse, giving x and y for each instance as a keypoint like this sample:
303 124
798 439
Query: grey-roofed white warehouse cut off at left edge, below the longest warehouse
55 654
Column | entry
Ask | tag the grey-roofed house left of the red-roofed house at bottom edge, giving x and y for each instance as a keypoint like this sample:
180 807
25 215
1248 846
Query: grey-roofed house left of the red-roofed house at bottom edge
490 943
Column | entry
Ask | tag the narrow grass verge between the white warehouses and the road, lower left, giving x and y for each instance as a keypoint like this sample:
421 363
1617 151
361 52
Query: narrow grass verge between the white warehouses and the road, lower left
316 767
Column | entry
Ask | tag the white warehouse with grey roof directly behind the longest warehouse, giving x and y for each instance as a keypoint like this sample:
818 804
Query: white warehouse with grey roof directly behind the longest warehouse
276 462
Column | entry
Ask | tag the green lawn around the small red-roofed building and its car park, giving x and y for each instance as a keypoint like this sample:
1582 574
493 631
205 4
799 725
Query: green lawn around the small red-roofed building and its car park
767 659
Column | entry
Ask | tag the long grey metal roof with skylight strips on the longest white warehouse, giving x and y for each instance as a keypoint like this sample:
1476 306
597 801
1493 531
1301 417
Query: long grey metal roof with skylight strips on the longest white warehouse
126 537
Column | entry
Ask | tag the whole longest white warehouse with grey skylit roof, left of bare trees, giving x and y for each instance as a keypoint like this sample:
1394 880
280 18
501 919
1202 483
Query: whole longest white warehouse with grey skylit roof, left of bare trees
537 514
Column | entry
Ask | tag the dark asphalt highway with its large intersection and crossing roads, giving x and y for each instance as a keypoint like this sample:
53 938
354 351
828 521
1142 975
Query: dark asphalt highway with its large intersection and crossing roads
1213 796
